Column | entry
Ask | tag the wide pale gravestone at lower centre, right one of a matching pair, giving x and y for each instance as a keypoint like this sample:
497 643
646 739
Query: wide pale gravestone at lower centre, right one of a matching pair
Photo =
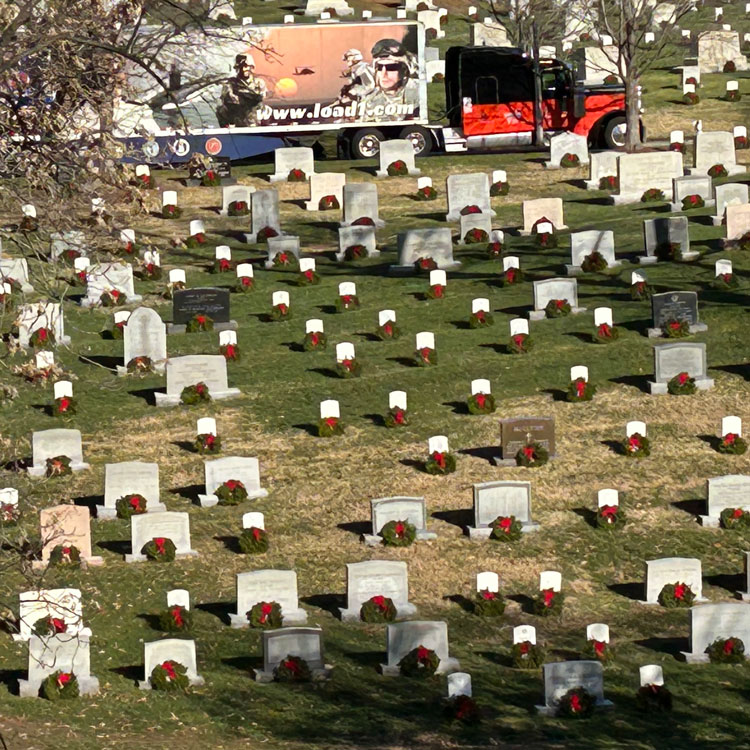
376 578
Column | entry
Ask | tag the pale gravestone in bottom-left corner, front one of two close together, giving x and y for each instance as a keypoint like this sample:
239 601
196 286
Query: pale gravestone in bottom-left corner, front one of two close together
64 652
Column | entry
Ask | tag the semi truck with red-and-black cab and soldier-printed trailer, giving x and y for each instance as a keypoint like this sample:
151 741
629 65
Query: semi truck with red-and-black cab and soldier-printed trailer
240 95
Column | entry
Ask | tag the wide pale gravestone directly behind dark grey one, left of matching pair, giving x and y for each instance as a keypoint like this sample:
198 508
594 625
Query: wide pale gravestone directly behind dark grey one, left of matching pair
278 586
